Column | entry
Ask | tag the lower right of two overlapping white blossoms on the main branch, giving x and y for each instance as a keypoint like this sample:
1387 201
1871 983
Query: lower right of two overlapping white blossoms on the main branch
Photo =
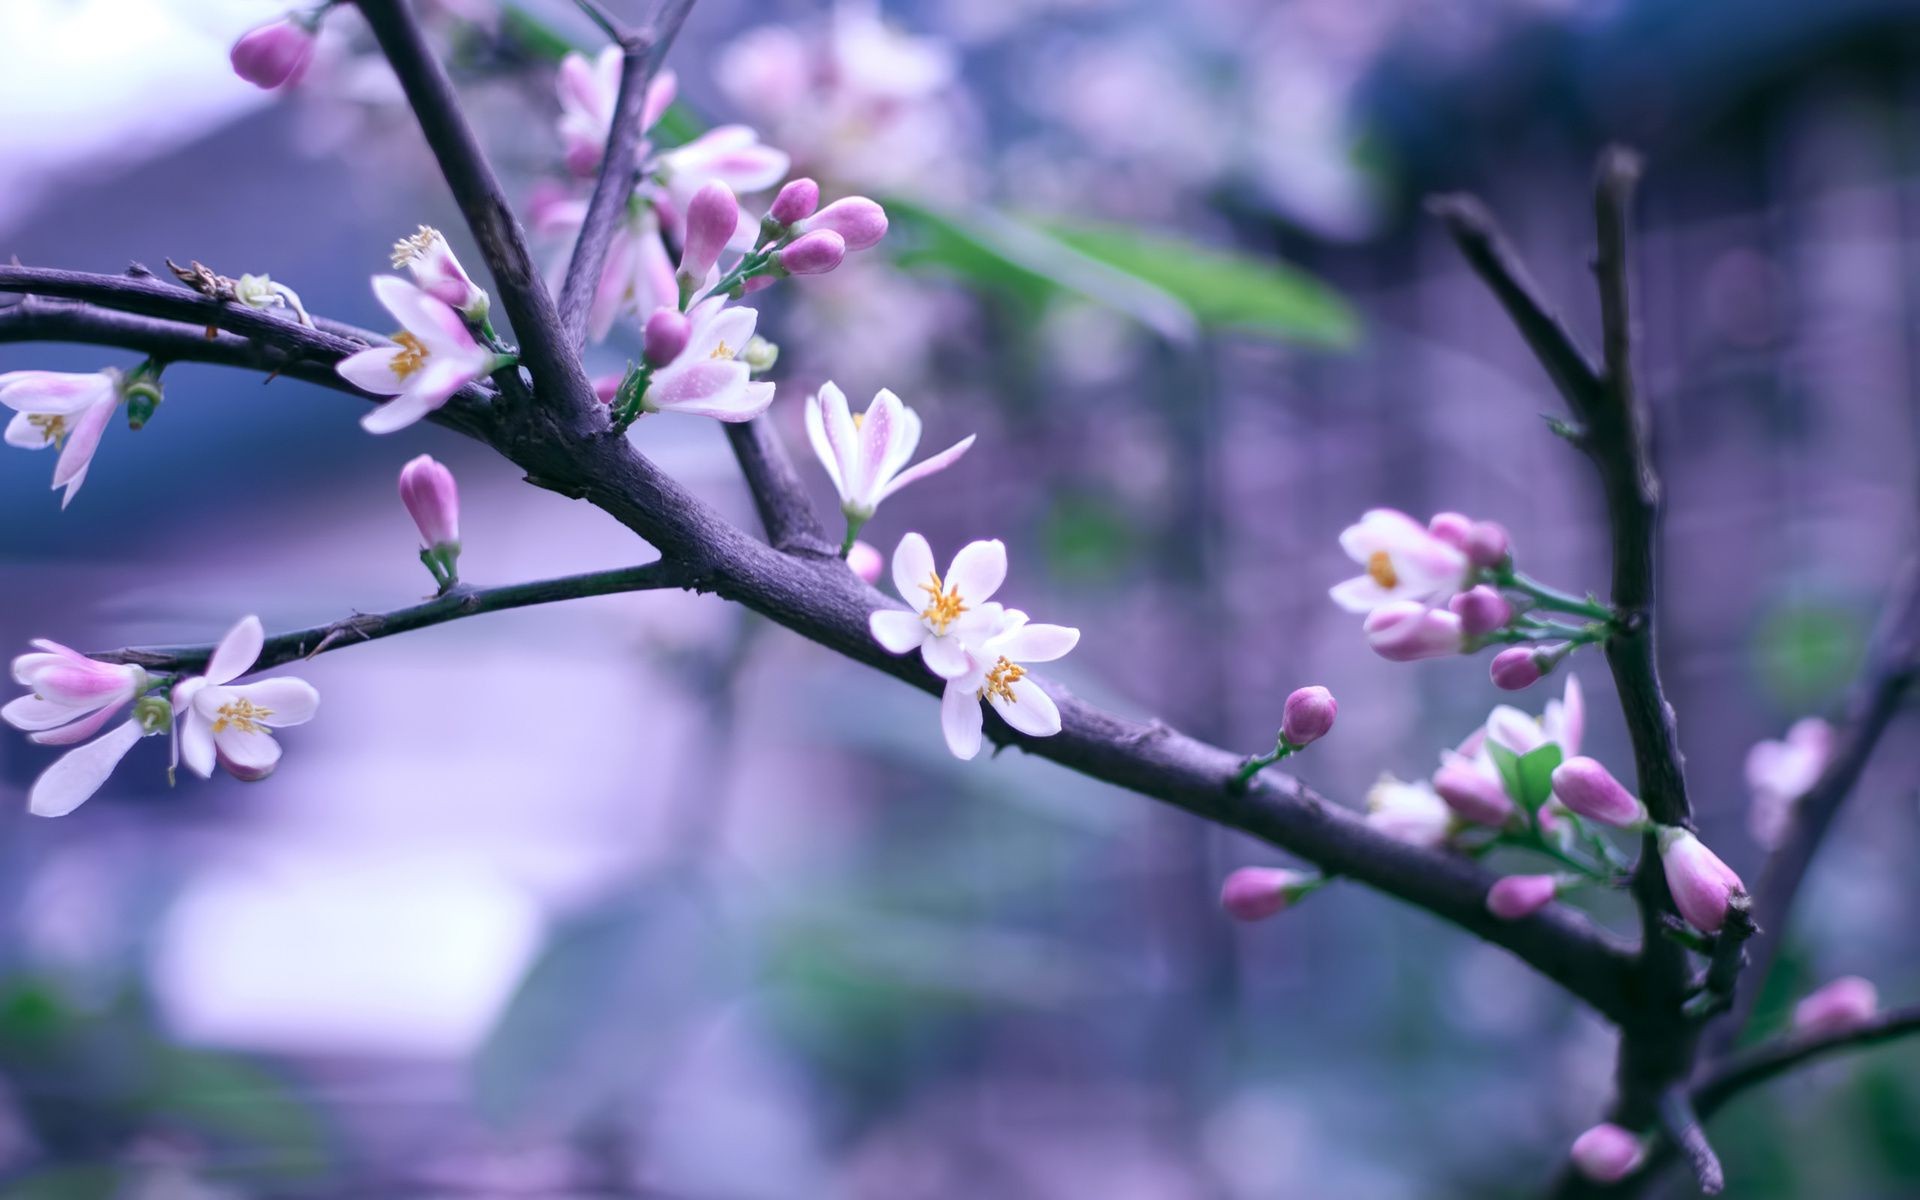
996 673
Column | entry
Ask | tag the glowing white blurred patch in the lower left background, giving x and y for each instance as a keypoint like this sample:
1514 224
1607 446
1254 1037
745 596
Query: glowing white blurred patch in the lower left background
345 955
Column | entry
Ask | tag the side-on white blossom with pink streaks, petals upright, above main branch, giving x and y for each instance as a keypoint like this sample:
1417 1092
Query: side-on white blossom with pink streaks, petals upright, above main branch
867 454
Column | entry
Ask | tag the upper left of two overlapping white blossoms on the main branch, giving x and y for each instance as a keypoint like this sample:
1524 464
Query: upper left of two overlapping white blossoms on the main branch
957 615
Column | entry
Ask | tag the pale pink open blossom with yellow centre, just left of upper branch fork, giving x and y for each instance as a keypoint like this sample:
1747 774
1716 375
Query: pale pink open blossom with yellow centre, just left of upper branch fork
433 358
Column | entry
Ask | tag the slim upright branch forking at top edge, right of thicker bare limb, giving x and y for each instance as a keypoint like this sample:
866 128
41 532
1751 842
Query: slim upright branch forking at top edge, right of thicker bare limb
640 60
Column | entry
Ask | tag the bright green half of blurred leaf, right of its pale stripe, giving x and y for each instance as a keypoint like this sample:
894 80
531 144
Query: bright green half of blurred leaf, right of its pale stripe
1222 289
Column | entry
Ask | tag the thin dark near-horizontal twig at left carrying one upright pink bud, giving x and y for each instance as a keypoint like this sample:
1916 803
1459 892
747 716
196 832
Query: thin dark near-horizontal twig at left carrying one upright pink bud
454 606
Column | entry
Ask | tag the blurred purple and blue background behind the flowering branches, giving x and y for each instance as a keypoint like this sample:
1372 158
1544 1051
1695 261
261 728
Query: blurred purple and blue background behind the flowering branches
727 921
